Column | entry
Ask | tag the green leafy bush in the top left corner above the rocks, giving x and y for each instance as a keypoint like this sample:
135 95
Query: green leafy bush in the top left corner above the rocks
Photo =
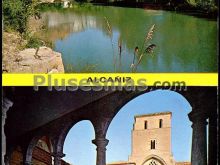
17 12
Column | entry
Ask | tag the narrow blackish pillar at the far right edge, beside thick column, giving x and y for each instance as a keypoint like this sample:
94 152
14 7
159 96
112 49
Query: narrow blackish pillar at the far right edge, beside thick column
212 143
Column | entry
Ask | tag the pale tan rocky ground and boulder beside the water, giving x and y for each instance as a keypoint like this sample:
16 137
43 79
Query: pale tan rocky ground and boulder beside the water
16 60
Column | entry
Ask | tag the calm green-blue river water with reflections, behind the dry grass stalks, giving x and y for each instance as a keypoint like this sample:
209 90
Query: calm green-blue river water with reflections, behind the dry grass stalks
184 43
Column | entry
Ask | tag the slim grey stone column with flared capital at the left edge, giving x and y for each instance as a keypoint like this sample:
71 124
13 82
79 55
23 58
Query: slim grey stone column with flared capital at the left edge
6 104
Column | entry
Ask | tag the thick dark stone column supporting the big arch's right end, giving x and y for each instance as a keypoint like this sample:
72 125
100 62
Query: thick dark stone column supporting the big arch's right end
199 140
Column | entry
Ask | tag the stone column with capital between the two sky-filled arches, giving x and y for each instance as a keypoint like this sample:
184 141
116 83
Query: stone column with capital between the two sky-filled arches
101 144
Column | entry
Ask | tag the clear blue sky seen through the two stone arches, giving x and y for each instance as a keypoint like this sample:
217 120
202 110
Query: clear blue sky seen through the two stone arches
80 151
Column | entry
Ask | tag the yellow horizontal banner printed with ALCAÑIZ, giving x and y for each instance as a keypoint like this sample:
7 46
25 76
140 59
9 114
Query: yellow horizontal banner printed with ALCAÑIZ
112 79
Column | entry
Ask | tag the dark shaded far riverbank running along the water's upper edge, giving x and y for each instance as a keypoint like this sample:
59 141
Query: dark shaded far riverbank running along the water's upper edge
183 7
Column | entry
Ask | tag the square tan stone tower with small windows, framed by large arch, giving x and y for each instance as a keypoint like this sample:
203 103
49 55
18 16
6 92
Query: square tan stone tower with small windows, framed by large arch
151 140
